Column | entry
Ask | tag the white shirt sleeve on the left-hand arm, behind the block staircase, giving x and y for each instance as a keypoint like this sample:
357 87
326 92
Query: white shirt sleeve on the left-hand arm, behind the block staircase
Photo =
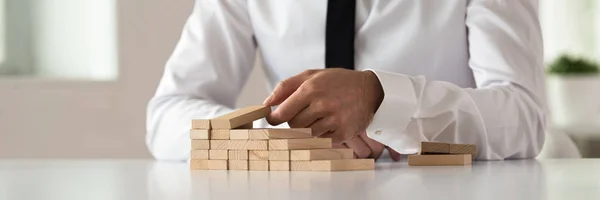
203 77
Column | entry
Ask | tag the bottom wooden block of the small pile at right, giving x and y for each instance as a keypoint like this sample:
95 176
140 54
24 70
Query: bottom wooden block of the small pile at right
439 160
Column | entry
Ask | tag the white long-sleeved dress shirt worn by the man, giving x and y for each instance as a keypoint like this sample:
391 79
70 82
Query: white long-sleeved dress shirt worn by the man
459 71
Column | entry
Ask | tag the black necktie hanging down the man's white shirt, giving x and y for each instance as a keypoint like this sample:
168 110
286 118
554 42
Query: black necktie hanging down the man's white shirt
339 36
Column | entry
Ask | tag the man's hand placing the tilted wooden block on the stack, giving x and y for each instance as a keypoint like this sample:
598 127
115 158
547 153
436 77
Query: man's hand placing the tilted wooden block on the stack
335 103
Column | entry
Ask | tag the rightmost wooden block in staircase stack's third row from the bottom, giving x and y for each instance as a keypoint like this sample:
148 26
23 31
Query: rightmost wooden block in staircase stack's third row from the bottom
308 143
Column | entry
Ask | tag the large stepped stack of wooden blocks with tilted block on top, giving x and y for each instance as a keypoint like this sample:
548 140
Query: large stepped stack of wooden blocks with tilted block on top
230 143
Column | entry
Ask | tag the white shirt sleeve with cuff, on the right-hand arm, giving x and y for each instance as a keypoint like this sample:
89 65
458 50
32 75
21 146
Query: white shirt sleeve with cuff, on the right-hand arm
505 116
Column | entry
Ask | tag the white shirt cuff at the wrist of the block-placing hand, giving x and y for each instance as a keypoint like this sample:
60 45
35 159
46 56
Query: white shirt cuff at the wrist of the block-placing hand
395 113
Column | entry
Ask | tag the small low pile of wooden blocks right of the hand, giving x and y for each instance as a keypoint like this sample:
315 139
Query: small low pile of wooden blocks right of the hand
439 154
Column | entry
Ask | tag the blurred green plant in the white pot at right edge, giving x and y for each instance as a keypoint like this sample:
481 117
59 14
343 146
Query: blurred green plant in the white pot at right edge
568 65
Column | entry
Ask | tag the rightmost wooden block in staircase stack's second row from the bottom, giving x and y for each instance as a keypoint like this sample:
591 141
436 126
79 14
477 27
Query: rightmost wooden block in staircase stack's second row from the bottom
322 154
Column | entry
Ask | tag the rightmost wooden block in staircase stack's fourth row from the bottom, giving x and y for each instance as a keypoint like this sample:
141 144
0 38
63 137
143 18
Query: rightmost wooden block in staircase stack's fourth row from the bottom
292 133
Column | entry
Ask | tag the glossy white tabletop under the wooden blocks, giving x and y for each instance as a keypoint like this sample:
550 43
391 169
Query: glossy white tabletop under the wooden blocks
147 179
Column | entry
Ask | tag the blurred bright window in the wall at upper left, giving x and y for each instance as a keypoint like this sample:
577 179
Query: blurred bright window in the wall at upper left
67 39
